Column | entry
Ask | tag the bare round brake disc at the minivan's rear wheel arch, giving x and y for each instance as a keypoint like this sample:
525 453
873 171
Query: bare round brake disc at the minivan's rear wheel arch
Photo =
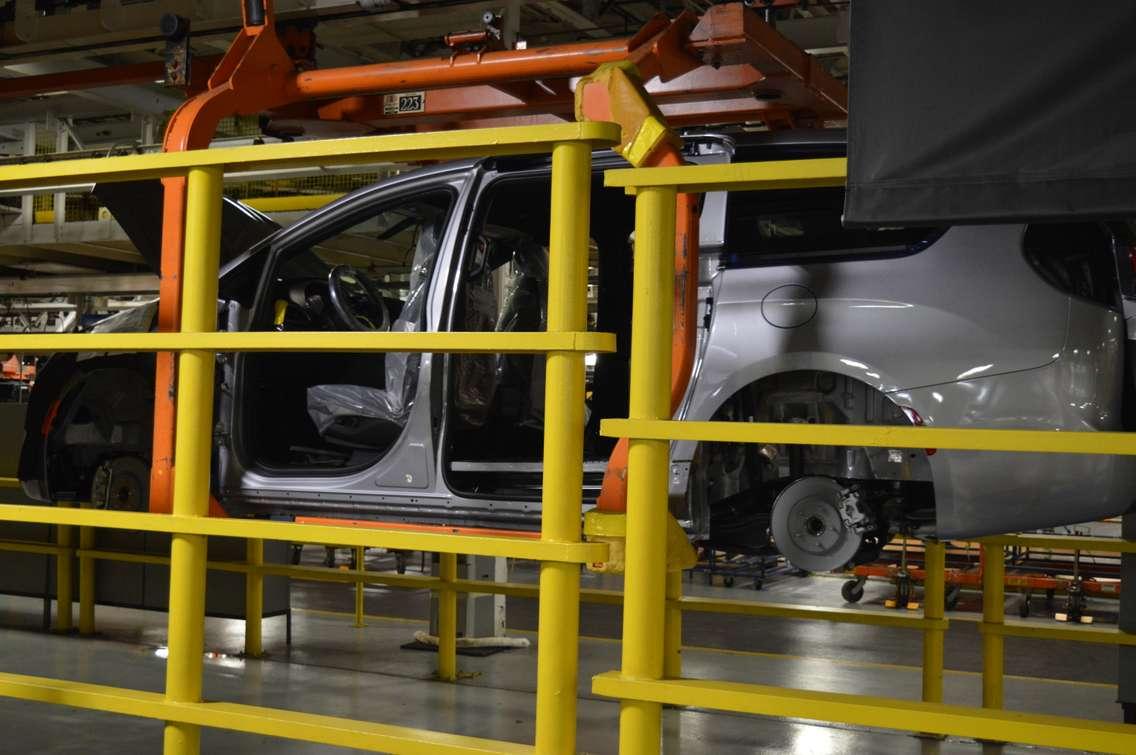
808 528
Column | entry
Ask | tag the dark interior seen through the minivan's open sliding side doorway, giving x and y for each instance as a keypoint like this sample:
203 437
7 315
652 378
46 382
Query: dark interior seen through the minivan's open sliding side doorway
495 427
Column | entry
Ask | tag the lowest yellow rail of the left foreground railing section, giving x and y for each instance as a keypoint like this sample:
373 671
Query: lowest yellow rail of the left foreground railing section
250 719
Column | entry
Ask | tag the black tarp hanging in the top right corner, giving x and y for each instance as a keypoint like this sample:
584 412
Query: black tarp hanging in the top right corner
991 112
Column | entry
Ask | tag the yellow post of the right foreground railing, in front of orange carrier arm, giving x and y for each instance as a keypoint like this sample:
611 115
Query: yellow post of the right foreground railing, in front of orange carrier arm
645 582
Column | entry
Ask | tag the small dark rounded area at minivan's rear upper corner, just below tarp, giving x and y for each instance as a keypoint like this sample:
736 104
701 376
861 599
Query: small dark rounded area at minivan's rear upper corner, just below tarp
1076 258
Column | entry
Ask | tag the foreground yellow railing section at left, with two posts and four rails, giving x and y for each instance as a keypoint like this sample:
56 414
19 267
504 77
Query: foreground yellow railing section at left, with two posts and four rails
559 549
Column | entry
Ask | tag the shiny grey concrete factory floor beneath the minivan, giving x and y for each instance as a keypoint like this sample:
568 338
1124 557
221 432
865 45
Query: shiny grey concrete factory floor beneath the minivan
337 669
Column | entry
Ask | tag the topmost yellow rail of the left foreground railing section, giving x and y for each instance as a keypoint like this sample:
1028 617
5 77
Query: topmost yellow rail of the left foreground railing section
404 148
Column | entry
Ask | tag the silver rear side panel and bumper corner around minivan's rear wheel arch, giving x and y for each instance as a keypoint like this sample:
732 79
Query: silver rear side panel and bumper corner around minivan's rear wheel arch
966 334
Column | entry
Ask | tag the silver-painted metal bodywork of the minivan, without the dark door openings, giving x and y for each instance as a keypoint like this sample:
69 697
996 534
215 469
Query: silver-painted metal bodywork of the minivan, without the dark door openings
960 331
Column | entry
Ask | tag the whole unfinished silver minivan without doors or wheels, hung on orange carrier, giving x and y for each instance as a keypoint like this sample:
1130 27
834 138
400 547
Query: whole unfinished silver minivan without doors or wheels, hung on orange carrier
801 321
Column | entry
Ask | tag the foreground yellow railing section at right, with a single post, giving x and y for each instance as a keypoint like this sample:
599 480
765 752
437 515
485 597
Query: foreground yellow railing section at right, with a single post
649 677
